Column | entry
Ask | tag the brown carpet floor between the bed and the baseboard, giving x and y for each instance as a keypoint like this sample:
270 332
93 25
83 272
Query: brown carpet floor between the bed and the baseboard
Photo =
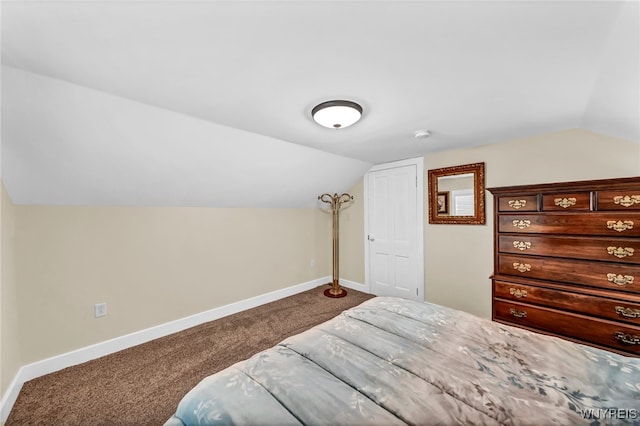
143 385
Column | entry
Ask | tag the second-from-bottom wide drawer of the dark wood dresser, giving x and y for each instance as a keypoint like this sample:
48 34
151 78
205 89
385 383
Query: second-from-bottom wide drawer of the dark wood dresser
567 301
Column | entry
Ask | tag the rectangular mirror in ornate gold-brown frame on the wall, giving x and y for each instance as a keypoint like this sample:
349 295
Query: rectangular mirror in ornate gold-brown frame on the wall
456 194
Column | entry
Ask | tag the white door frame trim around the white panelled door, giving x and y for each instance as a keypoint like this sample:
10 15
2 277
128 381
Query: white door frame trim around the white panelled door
419 163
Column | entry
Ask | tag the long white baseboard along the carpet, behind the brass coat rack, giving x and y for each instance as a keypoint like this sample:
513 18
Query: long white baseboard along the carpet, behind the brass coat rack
56 363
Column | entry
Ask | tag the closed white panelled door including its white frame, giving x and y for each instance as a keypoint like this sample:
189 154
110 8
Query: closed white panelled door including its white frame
394 230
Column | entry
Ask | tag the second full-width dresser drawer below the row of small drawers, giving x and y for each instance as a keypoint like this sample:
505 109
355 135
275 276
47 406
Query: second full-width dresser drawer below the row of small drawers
607 249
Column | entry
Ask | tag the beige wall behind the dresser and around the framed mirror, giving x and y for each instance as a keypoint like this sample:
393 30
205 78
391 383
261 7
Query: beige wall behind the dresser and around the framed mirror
458 258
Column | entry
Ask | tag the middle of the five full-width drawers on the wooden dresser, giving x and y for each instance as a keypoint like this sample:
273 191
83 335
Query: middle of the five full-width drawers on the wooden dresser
606 275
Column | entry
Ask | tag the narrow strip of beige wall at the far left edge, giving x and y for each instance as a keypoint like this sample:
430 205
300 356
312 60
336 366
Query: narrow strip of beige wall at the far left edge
9 343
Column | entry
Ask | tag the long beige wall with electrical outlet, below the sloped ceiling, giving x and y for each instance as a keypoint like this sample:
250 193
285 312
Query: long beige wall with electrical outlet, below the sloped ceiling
151 265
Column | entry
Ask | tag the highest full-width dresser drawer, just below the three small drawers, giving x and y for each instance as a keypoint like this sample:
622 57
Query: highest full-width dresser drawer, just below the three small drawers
613 224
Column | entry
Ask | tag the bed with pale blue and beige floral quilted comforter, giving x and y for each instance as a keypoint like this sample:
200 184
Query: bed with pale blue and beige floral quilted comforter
392 361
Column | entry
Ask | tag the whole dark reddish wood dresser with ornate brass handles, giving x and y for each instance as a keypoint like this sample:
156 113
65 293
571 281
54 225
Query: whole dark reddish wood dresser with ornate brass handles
567 261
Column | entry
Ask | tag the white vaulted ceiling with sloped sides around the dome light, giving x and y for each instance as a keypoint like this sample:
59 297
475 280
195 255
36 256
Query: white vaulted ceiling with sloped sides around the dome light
208 102
